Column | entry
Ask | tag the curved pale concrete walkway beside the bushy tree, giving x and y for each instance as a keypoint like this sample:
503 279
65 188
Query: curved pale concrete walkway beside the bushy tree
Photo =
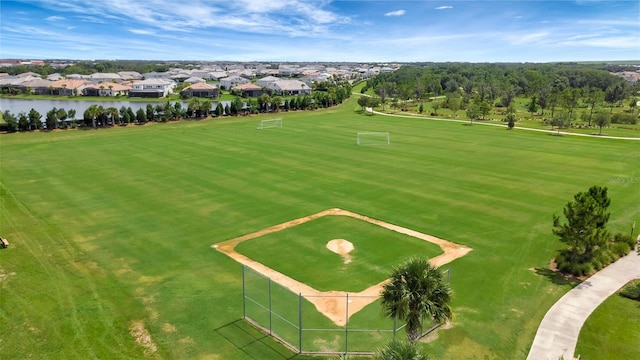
558 333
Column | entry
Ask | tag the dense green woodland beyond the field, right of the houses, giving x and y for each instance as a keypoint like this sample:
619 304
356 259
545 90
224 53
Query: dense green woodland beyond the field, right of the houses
557 94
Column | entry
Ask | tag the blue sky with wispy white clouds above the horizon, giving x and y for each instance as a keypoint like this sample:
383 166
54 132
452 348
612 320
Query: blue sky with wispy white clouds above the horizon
322 30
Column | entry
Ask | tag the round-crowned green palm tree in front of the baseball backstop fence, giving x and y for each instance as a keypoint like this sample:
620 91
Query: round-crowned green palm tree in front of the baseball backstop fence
415 292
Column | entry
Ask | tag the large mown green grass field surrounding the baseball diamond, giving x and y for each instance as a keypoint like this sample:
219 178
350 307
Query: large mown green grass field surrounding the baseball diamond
113 226
